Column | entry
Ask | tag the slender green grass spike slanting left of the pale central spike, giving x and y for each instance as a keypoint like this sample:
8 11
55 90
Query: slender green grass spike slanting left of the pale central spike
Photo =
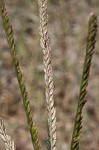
10 38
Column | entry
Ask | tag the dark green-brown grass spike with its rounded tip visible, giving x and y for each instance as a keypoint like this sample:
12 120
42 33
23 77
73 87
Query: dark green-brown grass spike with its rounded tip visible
91 39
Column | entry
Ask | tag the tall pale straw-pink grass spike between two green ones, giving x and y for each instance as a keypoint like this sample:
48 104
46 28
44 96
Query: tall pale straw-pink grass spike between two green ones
44 41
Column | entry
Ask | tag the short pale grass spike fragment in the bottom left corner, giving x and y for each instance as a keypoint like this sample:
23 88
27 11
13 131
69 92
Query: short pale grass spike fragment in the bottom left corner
9 143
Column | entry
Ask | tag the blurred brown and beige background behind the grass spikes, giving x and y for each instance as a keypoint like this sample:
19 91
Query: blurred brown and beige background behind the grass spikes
68 22
